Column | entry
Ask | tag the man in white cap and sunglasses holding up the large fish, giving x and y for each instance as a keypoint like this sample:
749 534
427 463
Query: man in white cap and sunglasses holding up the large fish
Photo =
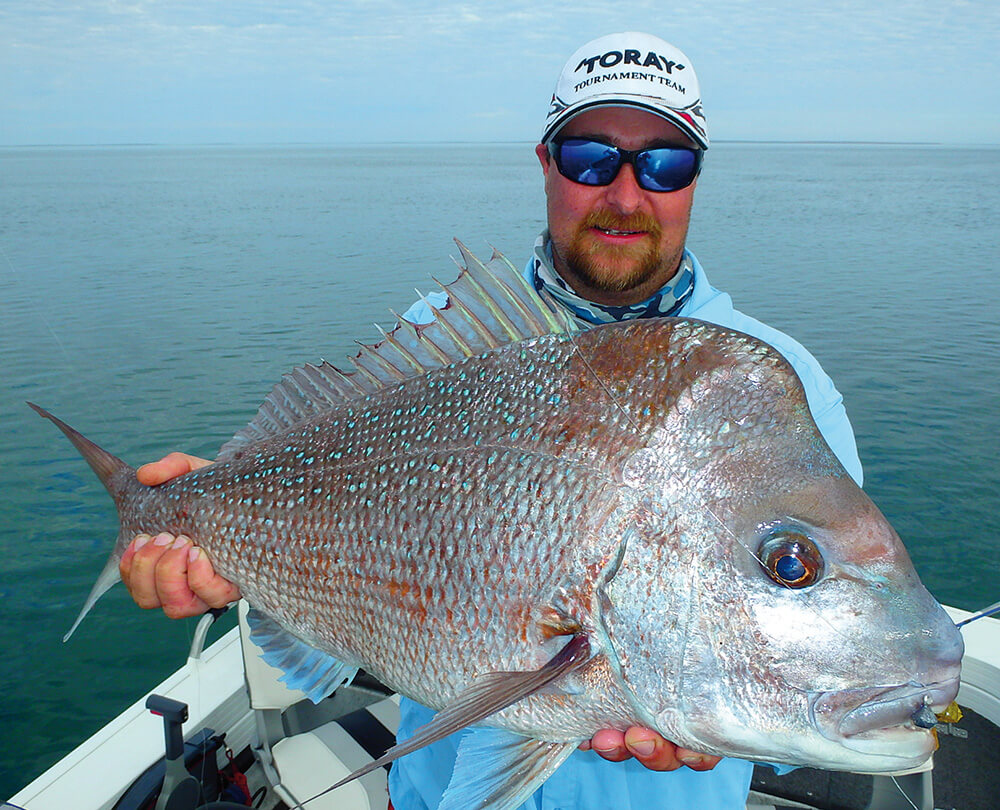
620 153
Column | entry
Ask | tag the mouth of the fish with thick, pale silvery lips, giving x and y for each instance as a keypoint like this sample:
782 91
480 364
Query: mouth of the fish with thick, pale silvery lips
856 716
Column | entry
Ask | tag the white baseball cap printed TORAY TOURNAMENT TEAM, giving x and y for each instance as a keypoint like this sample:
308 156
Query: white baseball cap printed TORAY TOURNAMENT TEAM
630 69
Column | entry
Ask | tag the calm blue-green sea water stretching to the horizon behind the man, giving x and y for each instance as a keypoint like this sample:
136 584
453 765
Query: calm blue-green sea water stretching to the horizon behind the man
150 296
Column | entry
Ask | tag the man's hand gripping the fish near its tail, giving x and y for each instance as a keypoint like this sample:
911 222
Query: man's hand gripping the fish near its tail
167 571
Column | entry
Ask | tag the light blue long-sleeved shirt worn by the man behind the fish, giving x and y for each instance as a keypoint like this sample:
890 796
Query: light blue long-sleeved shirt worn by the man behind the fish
585 781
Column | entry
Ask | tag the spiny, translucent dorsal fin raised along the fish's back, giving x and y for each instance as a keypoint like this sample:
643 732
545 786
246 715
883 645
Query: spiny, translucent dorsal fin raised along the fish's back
488 305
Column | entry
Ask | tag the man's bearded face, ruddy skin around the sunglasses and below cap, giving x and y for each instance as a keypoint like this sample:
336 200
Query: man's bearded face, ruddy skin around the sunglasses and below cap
616 244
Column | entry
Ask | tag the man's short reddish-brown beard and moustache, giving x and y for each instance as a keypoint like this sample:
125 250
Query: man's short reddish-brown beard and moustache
614 268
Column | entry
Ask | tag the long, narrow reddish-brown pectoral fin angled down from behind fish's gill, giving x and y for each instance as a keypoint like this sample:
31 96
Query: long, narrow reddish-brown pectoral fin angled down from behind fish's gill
486 696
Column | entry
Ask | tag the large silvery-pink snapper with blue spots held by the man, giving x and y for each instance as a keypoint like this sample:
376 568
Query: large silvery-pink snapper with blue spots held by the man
552 531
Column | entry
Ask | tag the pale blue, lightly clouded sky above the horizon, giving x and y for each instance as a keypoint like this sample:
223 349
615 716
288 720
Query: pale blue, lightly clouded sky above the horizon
364 71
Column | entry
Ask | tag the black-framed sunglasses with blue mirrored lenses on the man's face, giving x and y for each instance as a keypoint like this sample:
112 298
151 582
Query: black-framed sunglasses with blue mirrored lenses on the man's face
593 163
